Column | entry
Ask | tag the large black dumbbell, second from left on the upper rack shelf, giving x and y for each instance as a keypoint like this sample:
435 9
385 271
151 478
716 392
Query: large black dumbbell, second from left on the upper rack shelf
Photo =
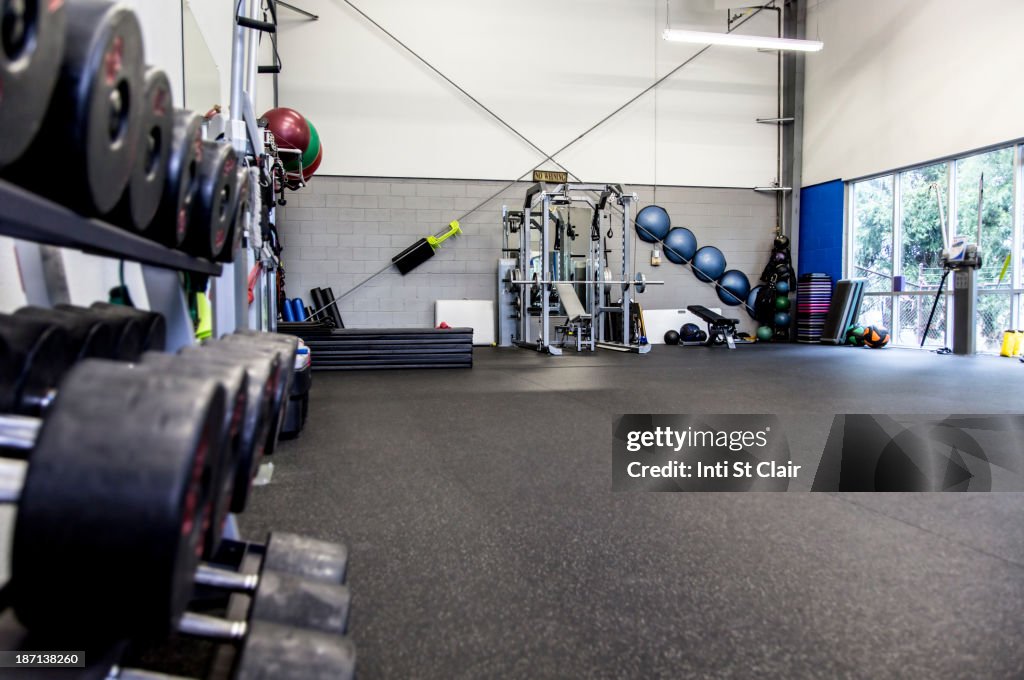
87 150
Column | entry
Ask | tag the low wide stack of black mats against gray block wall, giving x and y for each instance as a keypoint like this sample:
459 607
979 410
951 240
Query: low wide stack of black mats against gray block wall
358 349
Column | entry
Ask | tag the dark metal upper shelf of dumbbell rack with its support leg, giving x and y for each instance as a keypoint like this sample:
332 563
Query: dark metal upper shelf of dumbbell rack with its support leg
31 218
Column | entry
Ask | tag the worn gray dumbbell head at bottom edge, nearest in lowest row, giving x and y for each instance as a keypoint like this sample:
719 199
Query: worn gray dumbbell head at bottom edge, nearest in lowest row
273 652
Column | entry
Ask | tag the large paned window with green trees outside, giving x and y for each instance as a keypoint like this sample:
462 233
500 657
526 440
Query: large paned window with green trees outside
897 239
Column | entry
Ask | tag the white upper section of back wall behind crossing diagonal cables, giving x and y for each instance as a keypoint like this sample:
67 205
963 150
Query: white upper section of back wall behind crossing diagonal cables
551 69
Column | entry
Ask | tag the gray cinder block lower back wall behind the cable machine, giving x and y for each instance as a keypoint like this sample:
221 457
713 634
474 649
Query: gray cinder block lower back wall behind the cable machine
339 231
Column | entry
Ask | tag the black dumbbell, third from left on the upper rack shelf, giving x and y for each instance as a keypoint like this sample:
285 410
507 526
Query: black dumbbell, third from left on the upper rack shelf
138 207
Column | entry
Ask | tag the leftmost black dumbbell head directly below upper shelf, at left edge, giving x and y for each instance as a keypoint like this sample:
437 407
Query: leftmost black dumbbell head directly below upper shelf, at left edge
34 357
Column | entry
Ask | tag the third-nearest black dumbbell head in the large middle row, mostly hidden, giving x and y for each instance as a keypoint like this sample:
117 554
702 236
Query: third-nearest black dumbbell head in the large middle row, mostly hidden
263 384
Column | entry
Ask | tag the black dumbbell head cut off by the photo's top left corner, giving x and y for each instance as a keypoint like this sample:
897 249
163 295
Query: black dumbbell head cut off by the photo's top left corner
32 45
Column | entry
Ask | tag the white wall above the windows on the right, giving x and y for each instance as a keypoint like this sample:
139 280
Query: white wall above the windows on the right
901 82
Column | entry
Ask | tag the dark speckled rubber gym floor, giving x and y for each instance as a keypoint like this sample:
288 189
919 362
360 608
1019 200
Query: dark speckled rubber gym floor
486 541
